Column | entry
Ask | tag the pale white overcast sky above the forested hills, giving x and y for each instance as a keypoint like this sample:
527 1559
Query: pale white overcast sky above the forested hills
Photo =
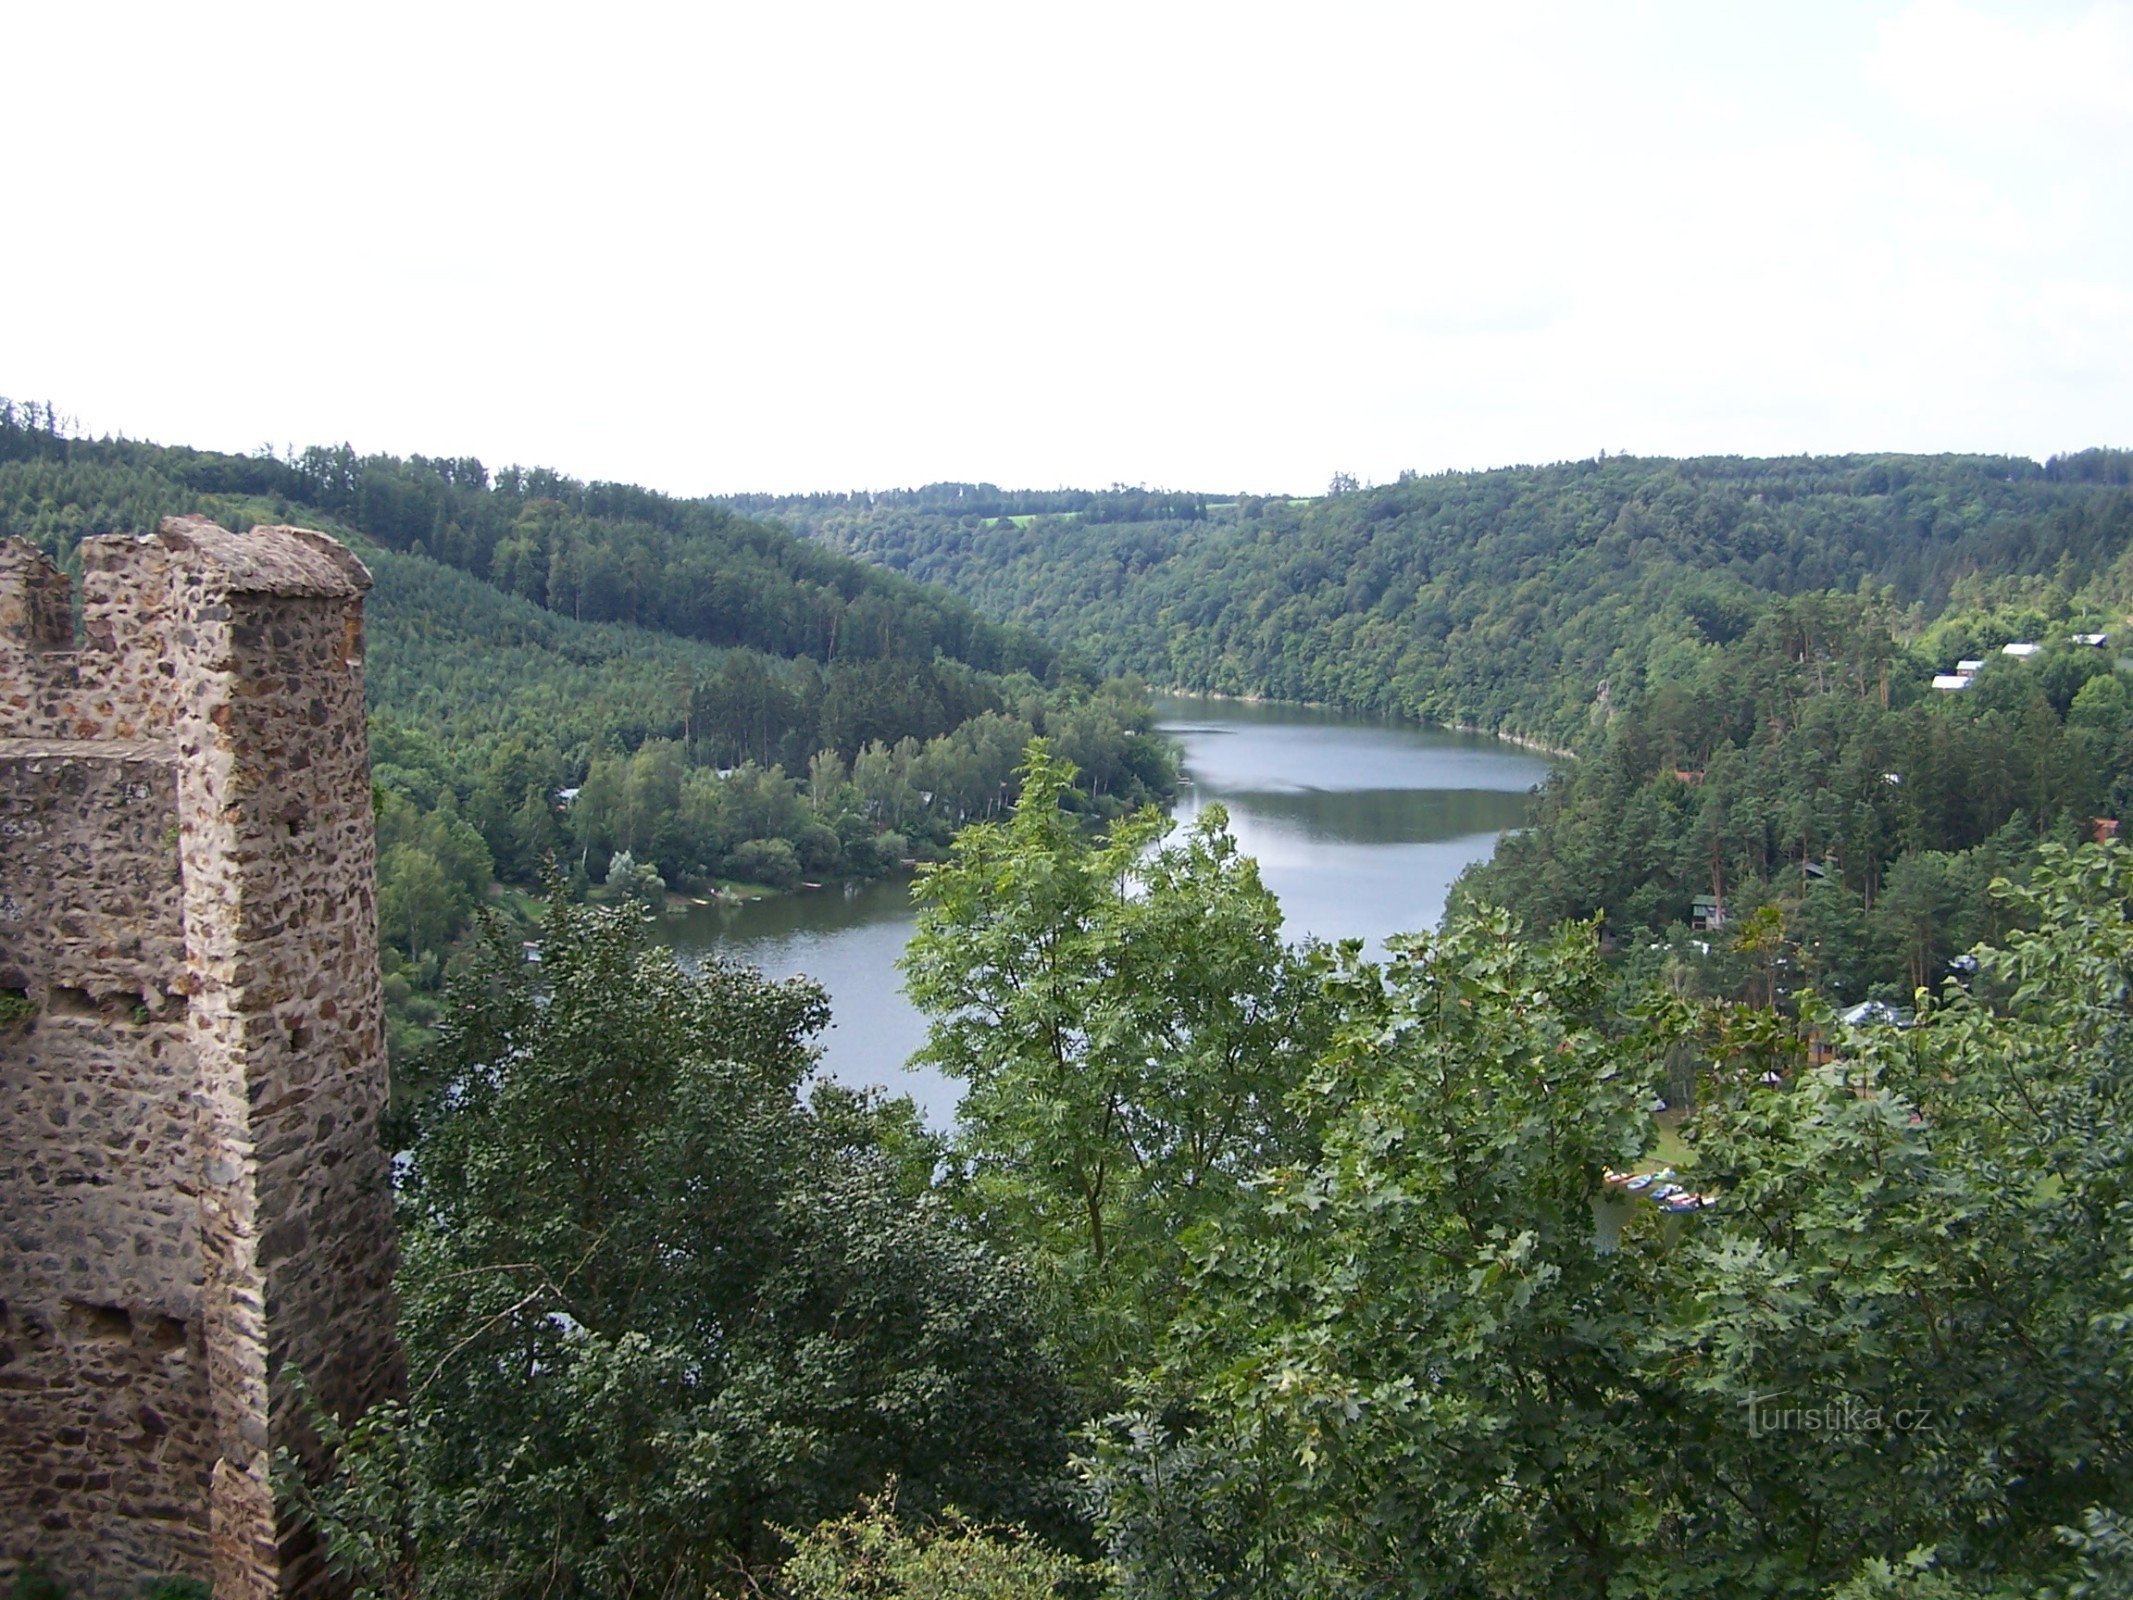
1215 246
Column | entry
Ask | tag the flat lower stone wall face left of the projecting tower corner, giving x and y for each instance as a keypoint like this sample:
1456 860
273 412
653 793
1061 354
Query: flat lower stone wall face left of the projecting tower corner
103 1377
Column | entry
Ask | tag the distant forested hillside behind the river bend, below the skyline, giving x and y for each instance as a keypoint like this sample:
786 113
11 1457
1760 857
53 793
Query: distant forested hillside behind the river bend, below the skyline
1522 601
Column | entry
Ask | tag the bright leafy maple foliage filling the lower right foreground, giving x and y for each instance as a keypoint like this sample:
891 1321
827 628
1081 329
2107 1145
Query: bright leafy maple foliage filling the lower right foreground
1889 1360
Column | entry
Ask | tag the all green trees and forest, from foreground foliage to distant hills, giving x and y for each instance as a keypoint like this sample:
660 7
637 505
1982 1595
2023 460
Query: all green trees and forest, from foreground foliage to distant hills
1332 1238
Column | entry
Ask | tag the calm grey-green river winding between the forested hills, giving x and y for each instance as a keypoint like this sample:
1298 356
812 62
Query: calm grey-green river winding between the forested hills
1360 829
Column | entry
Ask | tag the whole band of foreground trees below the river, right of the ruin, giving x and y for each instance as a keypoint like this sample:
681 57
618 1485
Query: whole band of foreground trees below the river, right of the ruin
1262 1270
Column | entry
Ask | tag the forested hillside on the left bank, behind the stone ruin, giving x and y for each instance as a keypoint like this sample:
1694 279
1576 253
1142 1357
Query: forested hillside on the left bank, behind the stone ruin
641 690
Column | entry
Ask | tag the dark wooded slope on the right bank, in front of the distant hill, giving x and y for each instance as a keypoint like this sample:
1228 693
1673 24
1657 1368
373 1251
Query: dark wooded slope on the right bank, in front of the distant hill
1808 767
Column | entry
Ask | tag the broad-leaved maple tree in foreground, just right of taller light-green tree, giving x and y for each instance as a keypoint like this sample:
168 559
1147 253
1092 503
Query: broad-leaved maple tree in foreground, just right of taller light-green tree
1405 1366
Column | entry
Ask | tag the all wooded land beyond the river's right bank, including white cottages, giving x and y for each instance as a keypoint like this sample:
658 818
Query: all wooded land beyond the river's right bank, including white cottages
1744 669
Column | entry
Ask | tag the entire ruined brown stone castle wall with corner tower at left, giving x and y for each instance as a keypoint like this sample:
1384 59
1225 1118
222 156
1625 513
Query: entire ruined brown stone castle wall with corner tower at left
193 1200
